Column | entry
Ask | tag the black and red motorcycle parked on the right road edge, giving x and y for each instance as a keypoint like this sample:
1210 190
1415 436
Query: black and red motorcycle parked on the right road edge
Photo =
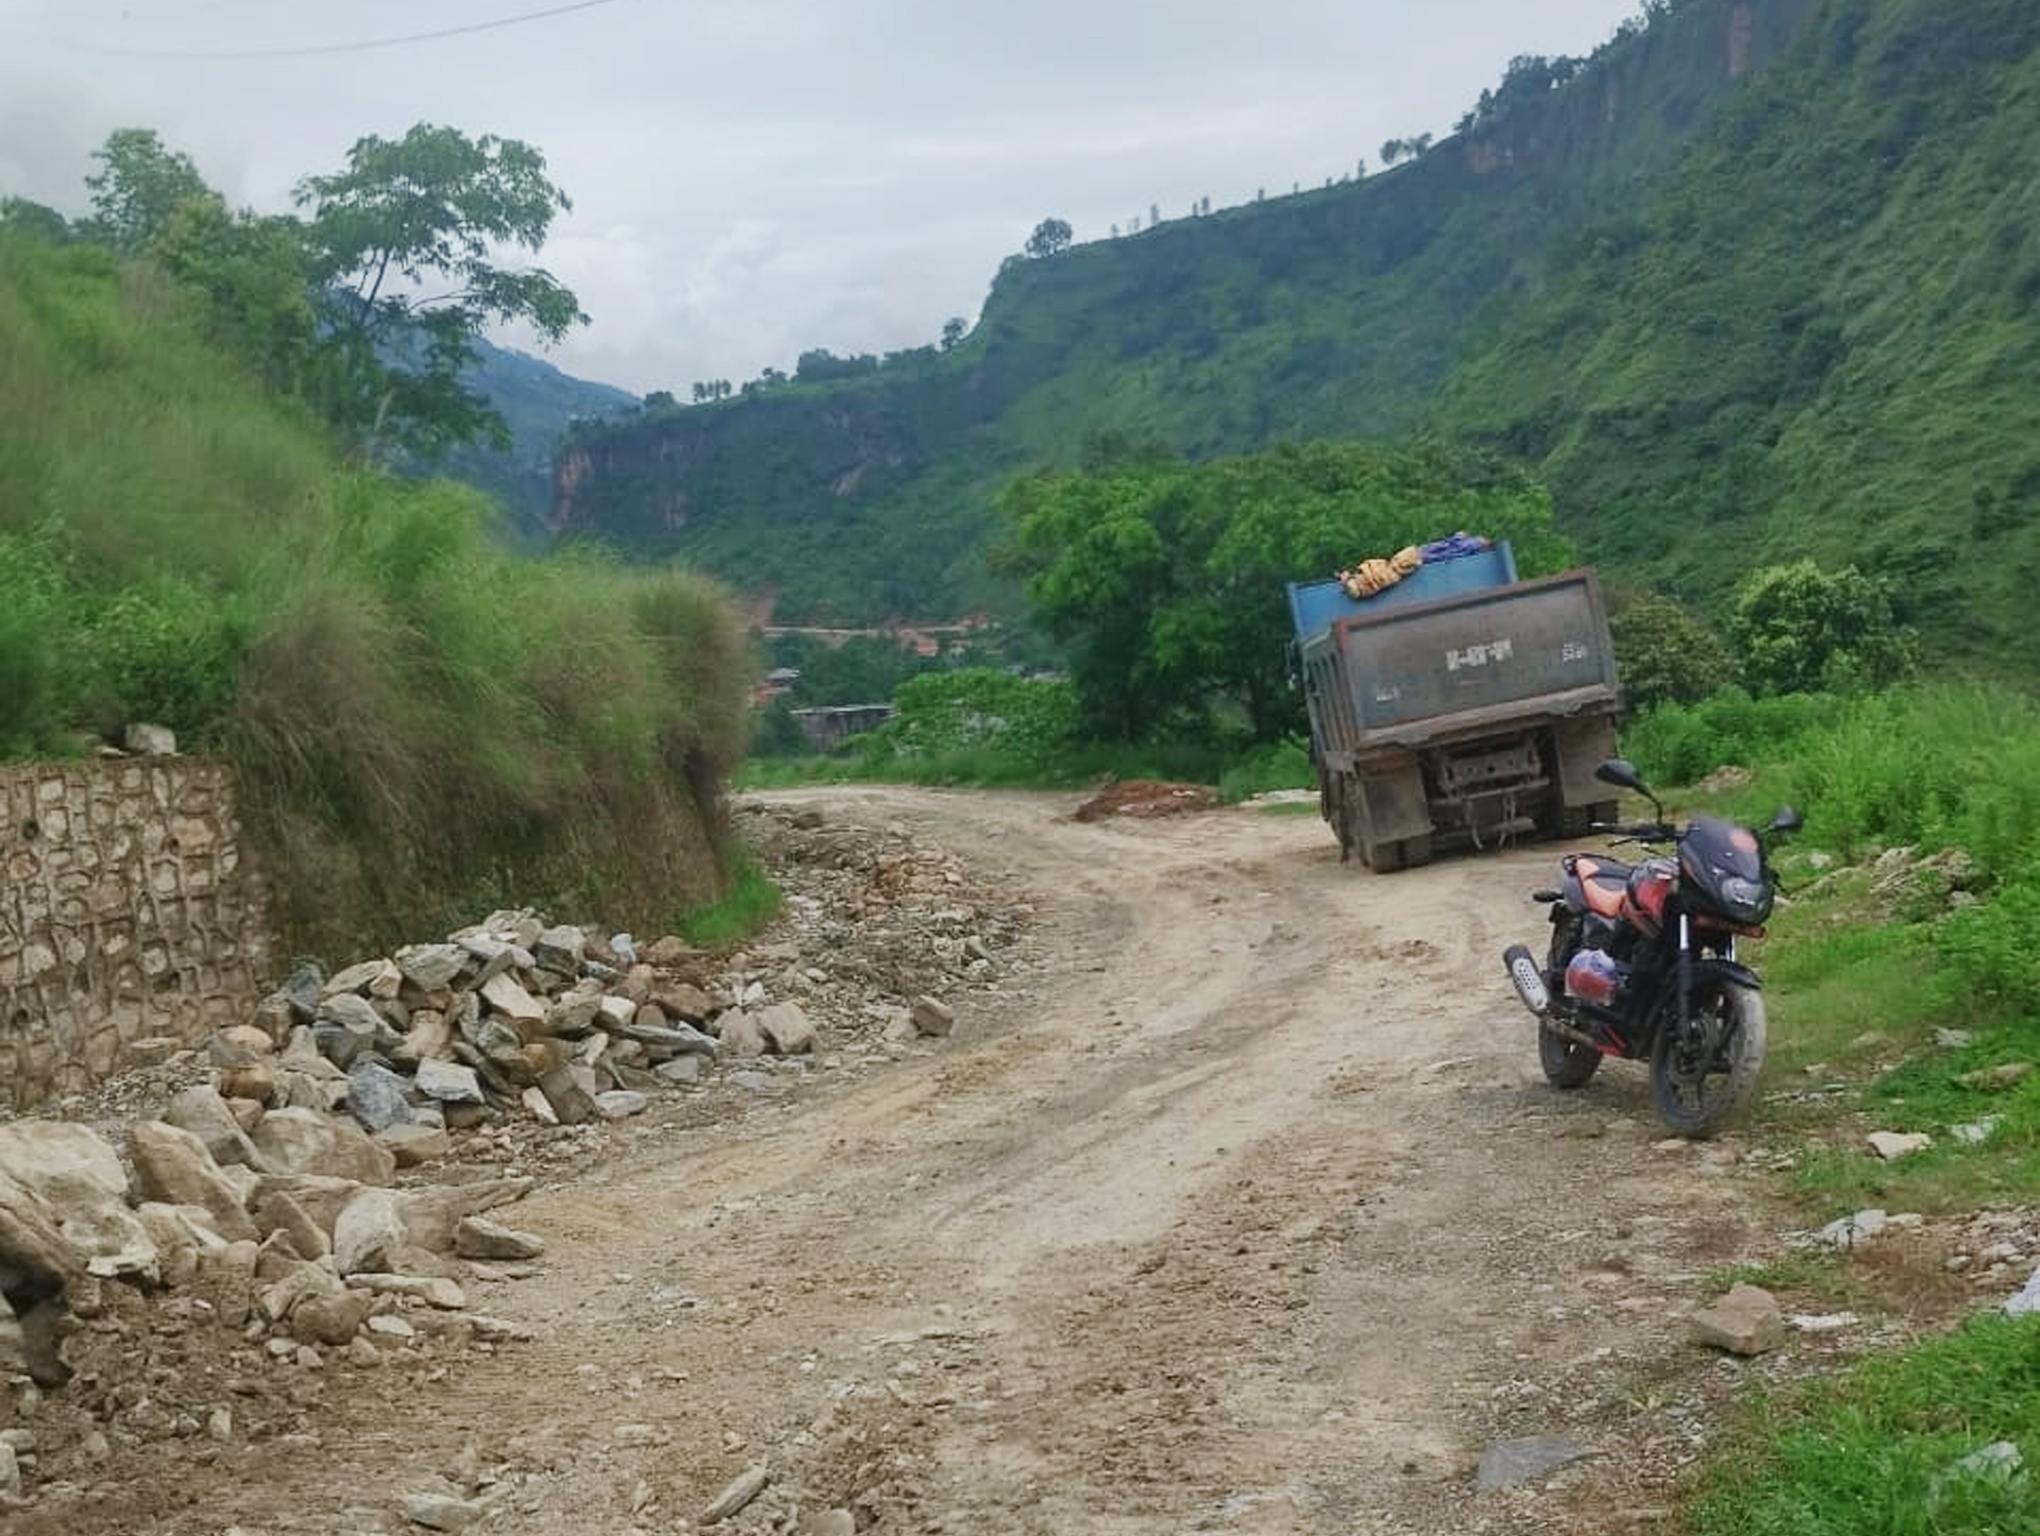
1643 964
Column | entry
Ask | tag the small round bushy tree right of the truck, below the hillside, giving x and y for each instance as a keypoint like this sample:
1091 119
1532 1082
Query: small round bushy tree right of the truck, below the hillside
1800 629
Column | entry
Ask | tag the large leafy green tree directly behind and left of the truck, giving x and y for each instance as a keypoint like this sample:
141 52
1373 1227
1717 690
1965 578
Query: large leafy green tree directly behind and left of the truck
1166 580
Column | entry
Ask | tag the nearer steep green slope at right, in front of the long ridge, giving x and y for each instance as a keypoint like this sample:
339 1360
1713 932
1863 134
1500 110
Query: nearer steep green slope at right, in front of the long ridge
1821 340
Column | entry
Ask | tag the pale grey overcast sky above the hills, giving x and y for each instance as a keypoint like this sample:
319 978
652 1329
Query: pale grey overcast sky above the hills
754 178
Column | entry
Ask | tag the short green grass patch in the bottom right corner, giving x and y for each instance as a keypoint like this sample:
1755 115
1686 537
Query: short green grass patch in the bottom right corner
1872 1453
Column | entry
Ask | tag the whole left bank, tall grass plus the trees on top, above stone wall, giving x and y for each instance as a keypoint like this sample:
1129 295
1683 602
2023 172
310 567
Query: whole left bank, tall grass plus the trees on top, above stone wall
201 529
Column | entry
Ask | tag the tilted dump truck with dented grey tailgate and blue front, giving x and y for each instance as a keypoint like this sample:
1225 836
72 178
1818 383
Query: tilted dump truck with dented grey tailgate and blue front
1458 709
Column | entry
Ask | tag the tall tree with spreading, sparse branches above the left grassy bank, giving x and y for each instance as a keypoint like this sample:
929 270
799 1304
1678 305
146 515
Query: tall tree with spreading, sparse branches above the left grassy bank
405 276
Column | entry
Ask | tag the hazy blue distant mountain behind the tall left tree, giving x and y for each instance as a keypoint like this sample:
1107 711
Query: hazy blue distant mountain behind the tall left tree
542 405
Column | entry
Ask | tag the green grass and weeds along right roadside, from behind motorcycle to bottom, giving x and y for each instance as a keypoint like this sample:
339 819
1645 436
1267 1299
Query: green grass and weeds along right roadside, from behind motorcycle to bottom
1904 996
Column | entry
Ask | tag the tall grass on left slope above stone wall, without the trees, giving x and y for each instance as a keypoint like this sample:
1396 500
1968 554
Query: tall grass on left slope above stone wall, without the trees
421 723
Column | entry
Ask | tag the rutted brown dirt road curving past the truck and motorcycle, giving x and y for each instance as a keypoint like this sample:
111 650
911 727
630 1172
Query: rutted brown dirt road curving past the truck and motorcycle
1249 1215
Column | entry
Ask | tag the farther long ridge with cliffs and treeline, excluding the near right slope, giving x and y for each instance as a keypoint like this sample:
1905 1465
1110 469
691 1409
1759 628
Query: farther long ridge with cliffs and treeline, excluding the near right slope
1333 313
